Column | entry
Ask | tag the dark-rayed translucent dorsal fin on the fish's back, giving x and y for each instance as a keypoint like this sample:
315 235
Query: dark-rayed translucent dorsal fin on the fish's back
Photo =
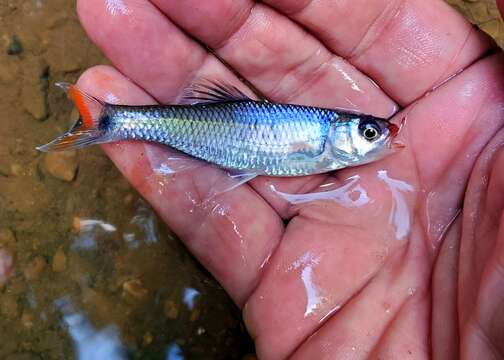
212 91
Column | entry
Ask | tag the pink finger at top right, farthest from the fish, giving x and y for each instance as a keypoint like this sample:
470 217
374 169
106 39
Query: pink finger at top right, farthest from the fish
401 44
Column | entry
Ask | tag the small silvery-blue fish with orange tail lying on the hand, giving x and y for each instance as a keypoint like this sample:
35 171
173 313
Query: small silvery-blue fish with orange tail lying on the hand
218 123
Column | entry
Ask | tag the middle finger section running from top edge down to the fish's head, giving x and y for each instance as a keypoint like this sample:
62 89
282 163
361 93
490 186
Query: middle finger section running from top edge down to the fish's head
276 55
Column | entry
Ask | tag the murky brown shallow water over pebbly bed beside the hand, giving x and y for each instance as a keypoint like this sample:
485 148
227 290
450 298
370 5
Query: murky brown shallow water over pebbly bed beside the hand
77 276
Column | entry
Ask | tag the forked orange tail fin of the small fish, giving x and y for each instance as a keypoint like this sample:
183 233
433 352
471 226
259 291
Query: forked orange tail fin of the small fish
86 131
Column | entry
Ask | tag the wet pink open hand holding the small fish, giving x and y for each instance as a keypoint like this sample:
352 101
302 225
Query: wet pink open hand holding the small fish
324 279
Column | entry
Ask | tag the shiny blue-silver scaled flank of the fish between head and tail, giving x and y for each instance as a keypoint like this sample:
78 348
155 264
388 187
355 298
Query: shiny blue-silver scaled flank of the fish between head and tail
239 135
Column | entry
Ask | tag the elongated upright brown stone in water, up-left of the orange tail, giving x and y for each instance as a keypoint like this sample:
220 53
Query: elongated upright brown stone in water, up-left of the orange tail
34 88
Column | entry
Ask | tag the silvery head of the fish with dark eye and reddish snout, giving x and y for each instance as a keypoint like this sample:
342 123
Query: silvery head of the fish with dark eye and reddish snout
362 139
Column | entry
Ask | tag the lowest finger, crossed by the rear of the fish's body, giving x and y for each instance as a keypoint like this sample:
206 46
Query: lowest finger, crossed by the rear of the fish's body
230 239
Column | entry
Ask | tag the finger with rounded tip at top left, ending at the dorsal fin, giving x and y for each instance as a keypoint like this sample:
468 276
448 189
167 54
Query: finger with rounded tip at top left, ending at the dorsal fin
146 47
